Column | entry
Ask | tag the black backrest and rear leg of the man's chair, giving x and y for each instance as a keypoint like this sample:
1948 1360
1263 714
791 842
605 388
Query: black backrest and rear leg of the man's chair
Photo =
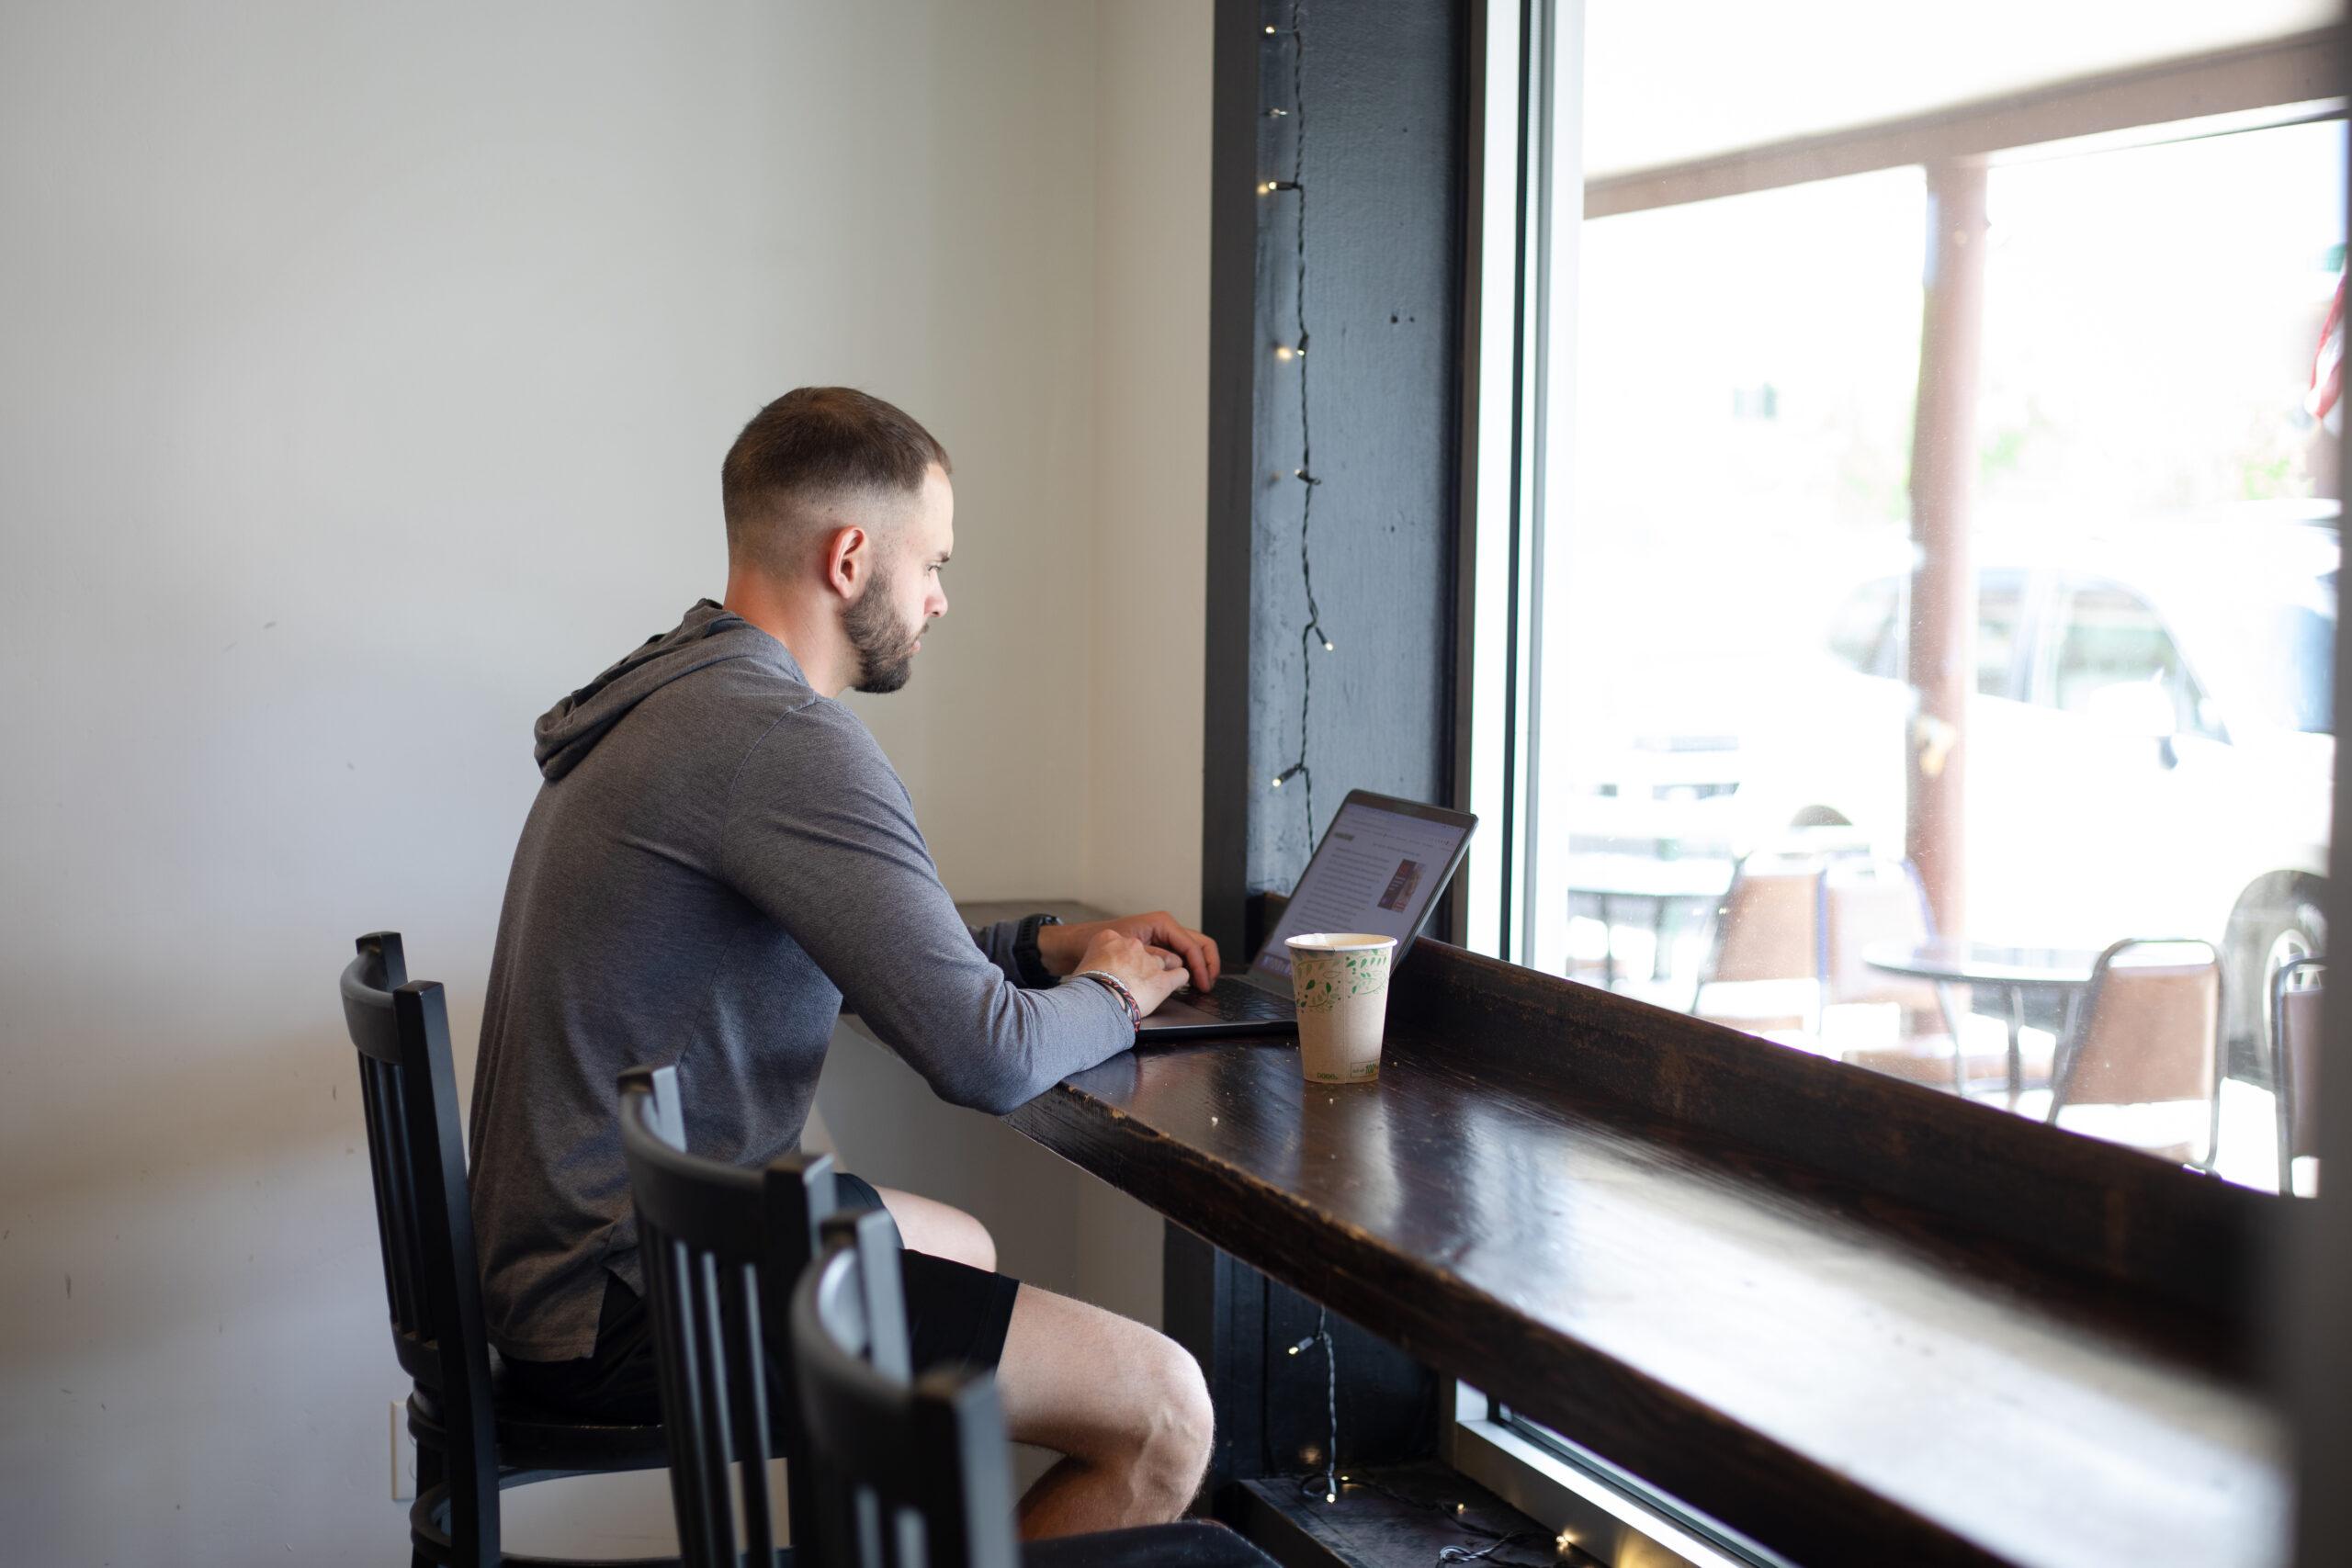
425 1219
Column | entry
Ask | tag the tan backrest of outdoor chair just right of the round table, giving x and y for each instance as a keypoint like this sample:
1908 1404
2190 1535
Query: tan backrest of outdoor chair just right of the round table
2149 1028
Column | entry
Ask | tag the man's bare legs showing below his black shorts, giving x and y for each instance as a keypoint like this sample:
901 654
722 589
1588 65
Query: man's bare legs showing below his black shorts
1125 1405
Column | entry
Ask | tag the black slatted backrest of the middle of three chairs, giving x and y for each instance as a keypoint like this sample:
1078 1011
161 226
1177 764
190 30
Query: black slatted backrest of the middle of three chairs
721 1249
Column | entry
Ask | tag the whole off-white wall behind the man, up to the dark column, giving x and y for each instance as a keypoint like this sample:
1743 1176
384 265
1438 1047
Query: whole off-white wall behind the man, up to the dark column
363 382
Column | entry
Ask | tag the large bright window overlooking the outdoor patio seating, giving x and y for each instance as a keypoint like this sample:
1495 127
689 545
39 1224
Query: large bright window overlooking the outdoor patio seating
1925 483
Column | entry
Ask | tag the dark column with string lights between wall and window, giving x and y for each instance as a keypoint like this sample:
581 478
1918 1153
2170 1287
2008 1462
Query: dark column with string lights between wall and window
1375 133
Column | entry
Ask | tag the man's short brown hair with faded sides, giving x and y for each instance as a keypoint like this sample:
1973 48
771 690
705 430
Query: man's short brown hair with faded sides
810 445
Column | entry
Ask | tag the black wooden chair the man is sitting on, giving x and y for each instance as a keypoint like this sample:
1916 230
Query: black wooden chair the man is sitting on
472 1438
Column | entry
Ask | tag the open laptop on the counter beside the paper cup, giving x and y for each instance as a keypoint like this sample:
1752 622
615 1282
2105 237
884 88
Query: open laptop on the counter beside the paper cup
1379 869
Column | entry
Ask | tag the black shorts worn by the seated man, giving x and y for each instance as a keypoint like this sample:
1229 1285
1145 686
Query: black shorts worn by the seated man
956 1315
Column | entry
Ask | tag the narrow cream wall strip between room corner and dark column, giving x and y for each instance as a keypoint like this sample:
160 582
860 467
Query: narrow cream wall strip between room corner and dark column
1151 540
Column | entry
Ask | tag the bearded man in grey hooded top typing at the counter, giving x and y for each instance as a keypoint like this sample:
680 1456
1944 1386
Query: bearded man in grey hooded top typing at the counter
721 859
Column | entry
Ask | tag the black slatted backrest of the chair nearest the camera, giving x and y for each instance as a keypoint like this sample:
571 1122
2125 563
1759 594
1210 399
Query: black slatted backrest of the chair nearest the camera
911 1473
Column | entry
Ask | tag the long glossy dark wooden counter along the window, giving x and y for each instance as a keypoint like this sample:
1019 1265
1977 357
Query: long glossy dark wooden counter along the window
1843 1381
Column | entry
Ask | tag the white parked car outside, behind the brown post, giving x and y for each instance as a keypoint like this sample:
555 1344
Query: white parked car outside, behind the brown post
2149 751
